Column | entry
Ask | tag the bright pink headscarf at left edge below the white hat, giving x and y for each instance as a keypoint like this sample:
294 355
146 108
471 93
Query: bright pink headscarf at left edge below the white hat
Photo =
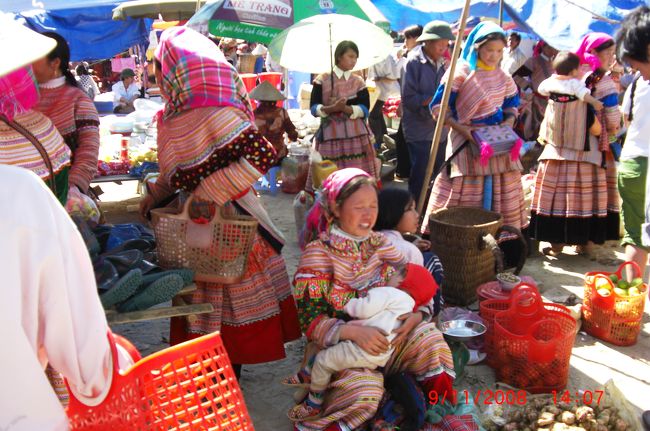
18 92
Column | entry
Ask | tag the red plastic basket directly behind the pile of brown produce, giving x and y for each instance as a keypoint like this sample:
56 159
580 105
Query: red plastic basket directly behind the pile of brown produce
533 342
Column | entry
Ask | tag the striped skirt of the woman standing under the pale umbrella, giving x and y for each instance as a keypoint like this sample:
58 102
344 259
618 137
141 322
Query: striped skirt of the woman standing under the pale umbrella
356 152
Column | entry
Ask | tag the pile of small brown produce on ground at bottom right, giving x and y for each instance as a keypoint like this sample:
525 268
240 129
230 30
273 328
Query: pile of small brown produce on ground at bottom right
544 414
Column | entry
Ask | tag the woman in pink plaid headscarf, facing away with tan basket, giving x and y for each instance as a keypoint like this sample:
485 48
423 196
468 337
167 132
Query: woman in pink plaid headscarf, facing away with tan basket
208 145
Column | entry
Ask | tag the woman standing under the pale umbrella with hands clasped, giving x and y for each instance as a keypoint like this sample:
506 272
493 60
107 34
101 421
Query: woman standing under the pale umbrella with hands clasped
342 102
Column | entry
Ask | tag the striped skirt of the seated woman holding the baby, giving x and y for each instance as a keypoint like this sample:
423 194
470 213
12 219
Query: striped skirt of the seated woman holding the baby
353 396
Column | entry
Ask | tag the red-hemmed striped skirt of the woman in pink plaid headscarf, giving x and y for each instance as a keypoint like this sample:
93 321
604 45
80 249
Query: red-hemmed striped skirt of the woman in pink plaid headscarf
256 316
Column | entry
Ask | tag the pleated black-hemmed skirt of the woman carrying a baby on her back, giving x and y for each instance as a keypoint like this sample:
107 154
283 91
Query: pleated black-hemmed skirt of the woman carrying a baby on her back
574 202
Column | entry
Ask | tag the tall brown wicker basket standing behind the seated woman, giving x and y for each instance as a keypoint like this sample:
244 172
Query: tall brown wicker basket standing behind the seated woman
464 240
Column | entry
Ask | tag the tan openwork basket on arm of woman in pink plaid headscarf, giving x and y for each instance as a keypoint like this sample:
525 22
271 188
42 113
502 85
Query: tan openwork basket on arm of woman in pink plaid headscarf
217 251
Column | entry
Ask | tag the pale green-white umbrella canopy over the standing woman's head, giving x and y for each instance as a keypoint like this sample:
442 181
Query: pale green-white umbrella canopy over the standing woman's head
308 45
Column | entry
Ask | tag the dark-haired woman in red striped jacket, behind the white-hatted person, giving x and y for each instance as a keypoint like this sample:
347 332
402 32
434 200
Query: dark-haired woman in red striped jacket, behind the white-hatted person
71 110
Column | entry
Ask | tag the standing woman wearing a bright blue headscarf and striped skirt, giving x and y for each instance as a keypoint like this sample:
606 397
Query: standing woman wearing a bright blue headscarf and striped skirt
482 94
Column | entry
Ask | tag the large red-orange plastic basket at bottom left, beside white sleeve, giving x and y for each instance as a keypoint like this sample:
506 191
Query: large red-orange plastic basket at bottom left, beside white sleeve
190 386
